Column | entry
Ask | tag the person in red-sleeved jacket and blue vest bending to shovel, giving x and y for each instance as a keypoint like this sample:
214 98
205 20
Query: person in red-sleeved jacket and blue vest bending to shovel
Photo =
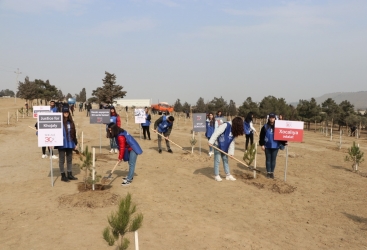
129 149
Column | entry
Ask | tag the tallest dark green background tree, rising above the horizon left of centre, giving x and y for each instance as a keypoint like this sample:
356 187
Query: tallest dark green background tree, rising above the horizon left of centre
110 90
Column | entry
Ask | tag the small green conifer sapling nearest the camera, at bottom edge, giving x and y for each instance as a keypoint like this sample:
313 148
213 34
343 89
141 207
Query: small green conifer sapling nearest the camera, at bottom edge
121 222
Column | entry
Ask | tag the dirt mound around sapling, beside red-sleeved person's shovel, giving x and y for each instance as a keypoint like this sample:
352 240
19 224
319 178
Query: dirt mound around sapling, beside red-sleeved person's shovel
88 198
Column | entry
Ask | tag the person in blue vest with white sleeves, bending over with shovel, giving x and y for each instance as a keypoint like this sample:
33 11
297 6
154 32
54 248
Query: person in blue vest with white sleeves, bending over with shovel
223 138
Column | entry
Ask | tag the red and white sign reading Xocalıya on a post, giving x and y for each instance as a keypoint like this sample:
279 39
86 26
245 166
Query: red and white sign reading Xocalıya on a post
288 130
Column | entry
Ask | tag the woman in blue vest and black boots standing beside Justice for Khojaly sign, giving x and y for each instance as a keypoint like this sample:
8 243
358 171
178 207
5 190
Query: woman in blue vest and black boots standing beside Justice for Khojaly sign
70 143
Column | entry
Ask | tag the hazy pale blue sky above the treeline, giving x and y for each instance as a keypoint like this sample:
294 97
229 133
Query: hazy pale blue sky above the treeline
169 49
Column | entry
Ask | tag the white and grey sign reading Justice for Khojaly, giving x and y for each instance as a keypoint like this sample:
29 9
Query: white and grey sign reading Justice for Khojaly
50 129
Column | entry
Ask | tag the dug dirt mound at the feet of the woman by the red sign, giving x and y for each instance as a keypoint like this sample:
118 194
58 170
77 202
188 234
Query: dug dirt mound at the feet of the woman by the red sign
261 182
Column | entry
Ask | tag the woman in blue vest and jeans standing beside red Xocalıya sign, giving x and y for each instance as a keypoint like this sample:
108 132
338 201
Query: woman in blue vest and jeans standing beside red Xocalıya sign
269 145
